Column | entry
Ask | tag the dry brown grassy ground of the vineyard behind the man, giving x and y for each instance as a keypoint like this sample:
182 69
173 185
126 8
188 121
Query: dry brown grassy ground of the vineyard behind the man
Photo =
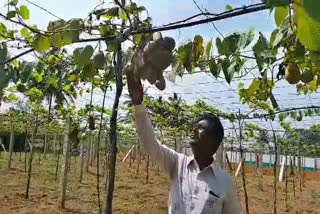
132 194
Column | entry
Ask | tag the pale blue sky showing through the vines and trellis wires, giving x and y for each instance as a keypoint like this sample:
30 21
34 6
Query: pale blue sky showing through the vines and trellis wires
191 87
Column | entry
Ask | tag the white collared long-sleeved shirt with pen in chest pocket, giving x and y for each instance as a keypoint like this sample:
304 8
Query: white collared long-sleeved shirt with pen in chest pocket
205 191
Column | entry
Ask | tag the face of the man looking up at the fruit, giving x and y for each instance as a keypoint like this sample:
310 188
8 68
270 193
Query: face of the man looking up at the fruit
204 143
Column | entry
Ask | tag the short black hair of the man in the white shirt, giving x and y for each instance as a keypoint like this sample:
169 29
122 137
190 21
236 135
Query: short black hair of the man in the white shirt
215 127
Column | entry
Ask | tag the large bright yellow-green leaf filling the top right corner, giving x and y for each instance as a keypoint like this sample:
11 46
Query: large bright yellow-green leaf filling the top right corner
308 23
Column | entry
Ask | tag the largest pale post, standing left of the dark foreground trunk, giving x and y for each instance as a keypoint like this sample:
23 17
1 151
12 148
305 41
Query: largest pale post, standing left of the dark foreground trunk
64 167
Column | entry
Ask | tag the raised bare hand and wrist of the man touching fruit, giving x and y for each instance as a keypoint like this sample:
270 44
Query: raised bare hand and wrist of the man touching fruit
135 88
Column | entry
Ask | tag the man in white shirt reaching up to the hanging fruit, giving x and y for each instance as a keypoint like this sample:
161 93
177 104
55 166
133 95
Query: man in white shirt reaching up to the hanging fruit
197 185
